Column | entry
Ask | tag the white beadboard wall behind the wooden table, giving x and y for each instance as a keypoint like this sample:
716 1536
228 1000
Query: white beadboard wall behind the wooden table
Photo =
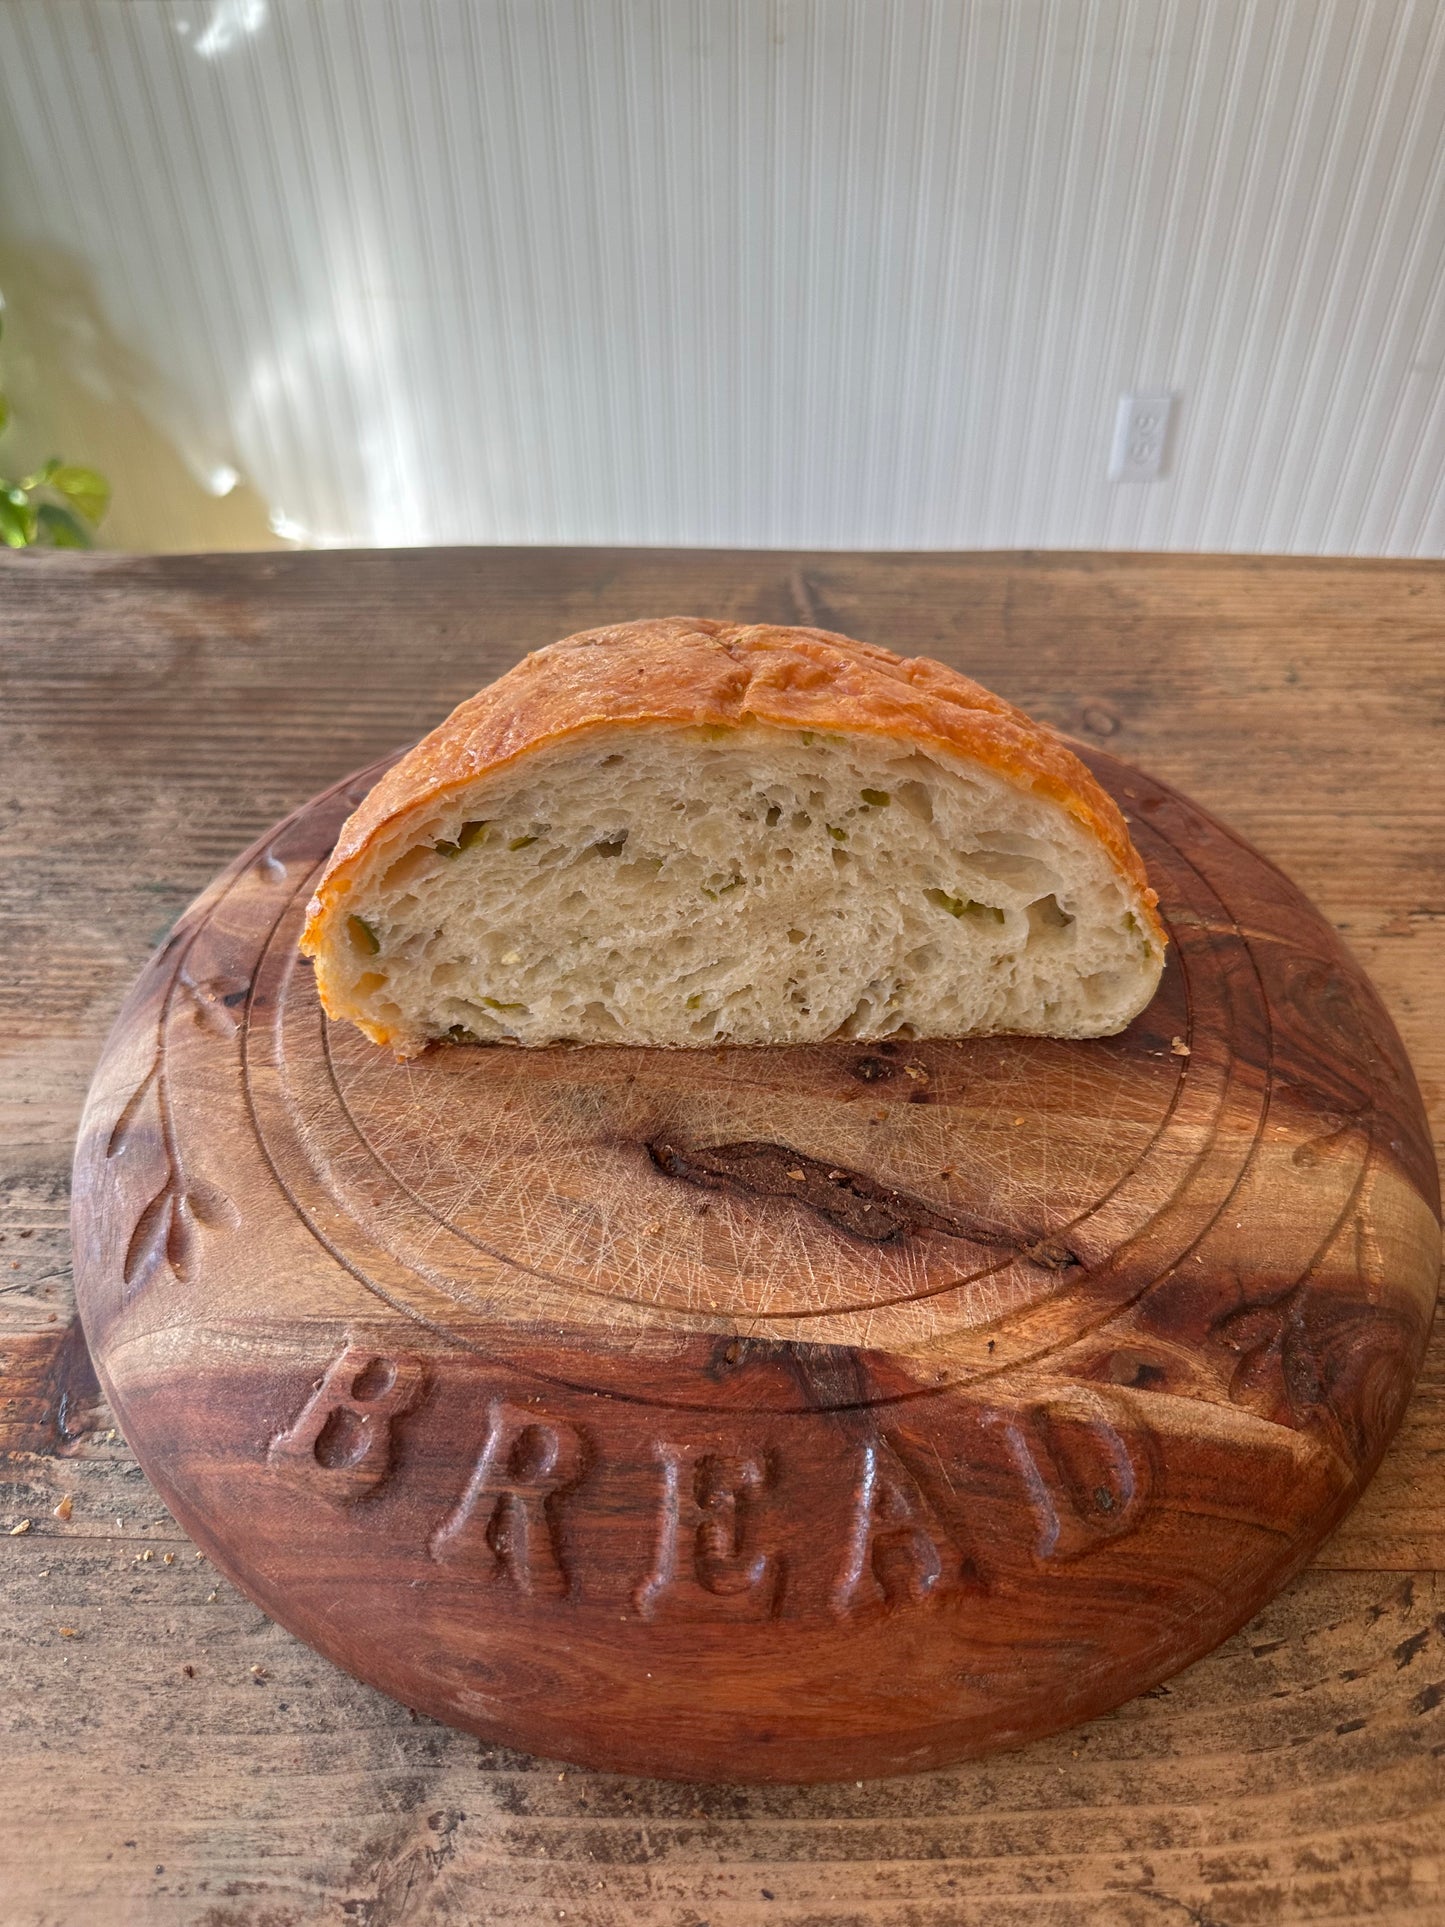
762 273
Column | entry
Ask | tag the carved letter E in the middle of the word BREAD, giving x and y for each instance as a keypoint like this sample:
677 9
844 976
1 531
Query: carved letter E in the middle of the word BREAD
704 1562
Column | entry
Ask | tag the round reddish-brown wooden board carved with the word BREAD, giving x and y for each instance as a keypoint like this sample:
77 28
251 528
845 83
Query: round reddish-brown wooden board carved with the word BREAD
795 1415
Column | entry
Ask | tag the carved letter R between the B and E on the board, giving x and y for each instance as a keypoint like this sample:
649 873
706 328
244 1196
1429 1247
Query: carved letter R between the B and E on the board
504 1525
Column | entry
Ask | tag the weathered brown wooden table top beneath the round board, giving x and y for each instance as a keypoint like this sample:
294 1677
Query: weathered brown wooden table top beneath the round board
176 1758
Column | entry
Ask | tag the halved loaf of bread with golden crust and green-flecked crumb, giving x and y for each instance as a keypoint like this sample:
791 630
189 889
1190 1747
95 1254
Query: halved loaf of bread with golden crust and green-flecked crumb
693 833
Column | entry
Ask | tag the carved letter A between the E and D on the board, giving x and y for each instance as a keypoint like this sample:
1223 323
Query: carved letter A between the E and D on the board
899 1548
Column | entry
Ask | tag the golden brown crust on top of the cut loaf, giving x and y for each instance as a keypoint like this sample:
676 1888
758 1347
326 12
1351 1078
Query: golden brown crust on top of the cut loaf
693 672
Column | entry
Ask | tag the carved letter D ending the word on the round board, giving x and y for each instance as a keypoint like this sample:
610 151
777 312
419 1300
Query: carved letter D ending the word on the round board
1088 1467
